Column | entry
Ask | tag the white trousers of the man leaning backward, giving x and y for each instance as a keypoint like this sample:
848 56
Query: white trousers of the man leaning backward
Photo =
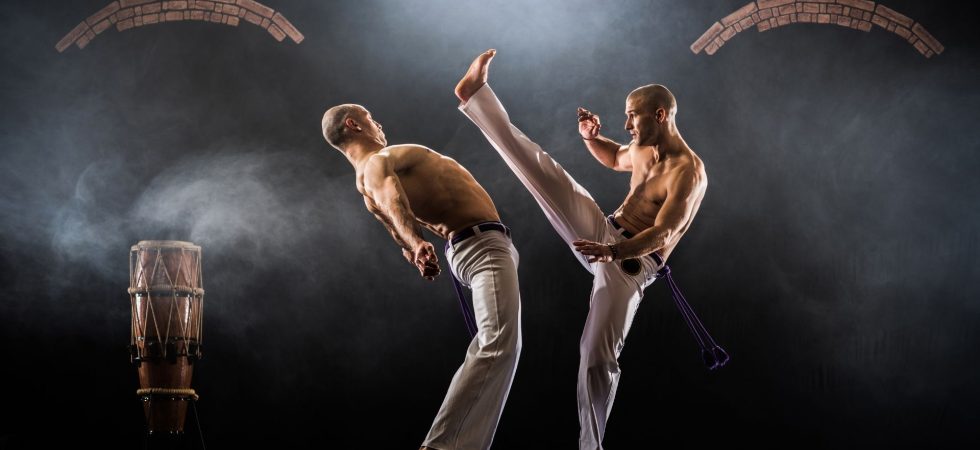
487 264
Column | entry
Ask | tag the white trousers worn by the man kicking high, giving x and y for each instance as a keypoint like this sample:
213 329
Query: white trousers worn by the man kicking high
574 215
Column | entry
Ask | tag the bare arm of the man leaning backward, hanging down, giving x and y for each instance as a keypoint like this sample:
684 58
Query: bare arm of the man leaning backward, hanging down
382 185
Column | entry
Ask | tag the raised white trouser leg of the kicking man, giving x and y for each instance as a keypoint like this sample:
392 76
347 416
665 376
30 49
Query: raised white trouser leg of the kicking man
567 205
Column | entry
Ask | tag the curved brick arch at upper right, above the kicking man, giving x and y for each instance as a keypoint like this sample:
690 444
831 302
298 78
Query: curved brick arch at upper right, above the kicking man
857 14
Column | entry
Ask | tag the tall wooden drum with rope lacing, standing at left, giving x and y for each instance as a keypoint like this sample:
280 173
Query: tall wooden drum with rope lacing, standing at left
167 299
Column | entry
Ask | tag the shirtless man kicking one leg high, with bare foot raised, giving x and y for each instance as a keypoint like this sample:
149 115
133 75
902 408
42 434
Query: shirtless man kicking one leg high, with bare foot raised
623 251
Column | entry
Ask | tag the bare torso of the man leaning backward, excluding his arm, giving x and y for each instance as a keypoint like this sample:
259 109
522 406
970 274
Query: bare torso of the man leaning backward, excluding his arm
442 194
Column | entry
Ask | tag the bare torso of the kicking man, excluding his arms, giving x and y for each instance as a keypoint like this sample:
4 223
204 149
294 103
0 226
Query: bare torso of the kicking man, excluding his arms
650 185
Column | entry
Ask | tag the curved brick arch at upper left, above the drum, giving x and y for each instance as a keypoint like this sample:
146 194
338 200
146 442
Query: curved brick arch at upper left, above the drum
127 14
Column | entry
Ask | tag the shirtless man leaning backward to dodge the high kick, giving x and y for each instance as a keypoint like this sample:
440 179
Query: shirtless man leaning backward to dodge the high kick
408 187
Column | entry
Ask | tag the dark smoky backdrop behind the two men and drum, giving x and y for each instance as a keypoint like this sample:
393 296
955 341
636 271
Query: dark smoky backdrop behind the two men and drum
834 256
